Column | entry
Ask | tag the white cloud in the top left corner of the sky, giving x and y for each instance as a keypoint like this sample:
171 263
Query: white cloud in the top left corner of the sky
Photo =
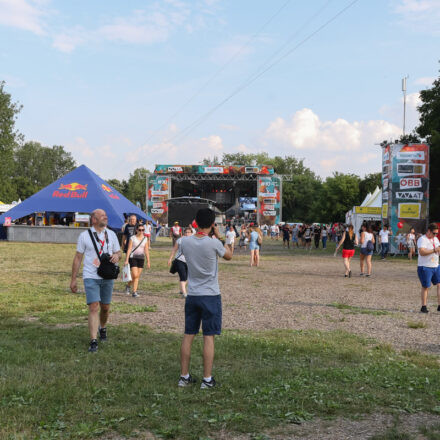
23 14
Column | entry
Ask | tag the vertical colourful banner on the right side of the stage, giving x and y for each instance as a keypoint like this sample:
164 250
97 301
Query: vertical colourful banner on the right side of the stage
269 200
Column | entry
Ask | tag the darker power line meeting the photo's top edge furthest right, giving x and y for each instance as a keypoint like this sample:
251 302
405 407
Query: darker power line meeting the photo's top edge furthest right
189 128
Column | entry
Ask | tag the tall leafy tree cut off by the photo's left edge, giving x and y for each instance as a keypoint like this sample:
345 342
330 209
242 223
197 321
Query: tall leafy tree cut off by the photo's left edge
9 137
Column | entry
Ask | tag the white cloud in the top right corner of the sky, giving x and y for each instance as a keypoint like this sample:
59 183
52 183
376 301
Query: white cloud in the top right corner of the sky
419 15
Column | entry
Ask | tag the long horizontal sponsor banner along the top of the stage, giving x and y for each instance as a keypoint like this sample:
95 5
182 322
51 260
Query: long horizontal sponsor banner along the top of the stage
216 169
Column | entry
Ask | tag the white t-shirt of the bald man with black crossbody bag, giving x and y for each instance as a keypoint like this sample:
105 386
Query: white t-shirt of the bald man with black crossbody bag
85 246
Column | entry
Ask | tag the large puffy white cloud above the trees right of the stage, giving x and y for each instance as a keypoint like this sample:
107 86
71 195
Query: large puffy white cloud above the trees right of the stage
328 146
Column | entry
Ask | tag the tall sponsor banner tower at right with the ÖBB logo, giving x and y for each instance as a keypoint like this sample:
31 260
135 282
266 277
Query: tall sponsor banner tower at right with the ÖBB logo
405 190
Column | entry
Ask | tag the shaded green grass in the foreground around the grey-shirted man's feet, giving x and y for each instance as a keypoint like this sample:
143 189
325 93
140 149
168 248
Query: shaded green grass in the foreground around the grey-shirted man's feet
51 387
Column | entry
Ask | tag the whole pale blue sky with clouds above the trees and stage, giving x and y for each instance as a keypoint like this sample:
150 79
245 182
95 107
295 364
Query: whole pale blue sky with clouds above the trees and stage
107 79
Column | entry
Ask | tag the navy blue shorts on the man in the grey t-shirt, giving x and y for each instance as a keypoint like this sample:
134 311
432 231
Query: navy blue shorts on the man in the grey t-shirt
206 310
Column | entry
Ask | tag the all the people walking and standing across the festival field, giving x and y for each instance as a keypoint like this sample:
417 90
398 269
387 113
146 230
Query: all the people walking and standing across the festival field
194 257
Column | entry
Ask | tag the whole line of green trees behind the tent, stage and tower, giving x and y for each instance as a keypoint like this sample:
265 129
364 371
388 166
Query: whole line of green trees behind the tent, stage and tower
27 166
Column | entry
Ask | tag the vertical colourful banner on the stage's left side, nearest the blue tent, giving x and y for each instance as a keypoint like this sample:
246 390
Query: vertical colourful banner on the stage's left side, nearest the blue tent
158 191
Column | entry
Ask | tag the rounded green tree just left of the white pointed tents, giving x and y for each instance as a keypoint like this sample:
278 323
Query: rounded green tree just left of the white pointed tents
339 194
